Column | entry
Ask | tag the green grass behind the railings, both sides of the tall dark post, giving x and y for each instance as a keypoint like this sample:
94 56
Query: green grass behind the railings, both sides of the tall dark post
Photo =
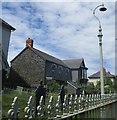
8 96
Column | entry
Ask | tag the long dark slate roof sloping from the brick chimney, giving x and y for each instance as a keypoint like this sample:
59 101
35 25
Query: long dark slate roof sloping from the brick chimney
43 55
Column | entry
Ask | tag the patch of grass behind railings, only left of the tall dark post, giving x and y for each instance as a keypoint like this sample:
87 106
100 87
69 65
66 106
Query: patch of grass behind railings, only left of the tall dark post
7 98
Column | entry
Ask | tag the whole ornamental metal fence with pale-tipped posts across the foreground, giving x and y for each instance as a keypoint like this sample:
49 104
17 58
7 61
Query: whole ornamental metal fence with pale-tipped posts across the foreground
84 106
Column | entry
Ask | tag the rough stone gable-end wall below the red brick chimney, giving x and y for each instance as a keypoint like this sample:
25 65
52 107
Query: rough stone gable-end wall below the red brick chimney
27 69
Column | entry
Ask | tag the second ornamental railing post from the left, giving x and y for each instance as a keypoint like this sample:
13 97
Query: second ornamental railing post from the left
29 109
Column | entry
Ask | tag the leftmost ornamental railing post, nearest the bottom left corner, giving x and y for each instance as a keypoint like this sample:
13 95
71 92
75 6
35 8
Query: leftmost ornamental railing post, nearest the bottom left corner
14 111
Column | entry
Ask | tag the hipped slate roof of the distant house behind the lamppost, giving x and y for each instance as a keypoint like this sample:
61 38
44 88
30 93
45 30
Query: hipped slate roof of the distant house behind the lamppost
97 74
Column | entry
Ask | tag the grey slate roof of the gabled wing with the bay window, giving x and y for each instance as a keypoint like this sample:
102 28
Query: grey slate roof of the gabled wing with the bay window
74 63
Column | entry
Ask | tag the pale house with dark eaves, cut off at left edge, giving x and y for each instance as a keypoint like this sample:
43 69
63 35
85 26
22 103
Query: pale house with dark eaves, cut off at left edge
5 32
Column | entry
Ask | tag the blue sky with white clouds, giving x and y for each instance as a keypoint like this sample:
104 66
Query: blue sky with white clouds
66 30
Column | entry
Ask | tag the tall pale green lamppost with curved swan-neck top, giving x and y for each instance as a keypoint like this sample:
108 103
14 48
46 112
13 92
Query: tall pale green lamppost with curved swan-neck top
102 8
